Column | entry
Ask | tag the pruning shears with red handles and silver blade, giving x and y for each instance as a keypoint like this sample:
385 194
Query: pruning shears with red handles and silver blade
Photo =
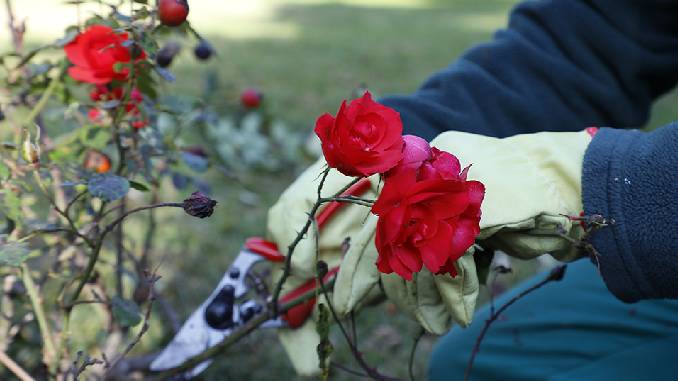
238 298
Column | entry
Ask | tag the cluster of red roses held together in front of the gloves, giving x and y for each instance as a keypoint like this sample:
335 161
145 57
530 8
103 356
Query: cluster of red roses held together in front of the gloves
429 214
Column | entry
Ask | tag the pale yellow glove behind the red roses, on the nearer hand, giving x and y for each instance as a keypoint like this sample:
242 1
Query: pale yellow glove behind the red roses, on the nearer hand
533 185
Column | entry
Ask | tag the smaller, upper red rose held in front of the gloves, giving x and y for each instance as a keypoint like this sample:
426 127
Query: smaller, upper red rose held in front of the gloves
363 139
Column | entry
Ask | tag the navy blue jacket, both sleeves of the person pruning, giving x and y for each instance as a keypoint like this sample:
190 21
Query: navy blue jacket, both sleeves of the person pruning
563 65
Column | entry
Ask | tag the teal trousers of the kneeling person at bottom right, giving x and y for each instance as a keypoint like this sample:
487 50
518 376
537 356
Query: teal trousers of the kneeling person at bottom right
569 330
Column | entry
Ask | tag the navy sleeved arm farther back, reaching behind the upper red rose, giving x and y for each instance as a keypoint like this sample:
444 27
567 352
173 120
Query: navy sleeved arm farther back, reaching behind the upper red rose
561 65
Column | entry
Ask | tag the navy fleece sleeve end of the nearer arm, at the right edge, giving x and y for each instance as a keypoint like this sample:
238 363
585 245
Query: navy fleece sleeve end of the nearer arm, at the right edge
632 178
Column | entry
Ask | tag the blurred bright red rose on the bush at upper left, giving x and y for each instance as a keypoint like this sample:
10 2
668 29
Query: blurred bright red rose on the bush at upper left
94 54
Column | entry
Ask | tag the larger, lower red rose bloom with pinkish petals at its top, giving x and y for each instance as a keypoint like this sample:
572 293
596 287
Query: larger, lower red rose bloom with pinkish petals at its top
429 214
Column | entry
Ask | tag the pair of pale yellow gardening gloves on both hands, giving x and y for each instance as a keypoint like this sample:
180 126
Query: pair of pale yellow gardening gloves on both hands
532 184
